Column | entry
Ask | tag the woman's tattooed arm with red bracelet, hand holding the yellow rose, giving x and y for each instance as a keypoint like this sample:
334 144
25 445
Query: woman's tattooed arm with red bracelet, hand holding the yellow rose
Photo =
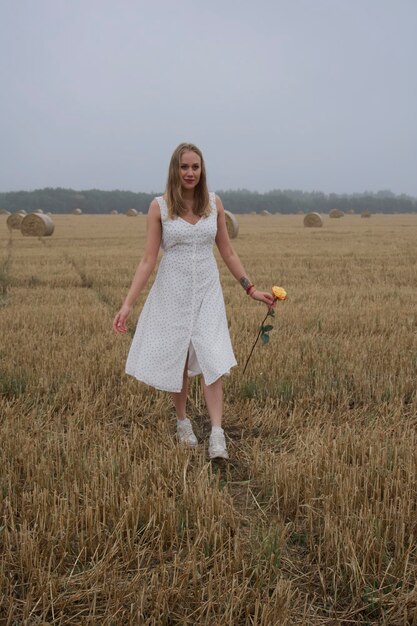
232 260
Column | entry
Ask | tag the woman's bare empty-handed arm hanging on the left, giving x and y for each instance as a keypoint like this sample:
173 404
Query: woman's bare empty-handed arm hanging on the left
145 267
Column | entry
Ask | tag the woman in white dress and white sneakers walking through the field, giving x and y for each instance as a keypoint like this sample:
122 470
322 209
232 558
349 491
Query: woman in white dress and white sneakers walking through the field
182 330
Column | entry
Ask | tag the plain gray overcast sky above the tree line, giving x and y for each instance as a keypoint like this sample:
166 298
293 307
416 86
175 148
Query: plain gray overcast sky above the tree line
290 94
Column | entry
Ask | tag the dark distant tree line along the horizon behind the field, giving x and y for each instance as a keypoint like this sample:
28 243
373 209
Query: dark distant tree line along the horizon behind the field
59 200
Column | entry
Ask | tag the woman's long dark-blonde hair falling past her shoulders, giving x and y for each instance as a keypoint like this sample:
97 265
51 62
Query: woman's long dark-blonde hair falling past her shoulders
175 201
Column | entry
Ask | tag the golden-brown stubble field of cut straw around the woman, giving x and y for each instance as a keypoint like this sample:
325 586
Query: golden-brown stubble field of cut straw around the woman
106 520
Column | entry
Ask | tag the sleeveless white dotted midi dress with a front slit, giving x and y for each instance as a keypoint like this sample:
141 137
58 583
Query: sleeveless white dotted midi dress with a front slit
184 311
